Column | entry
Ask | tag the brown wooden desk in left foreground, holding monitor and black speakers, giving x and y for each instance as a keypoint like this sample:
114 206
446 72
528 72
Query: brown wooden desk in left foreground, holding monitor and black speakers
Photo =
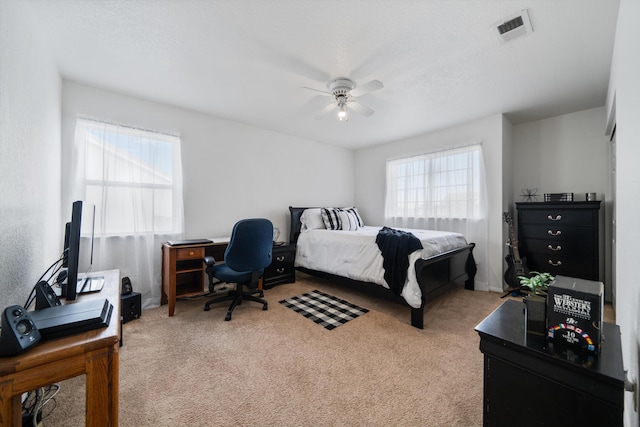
94 353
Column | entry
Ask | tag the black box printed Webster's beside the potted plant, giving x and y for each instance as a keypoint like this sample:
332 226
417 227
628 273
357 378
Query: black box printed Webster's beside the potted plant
574 312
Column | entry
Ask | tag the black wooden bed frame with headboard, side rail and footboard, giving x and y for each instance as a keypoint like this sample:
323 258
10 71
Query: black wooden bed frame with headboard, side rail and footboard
435 274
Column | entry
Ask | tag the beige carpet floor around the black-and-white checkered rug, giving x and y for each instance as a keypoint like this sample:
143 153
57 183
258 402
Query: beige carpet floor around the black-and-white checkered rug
278 368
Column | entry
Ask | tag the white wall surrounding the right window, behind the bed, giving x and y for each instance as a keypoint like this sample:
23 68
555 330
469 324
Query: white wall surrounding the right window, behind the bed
371 171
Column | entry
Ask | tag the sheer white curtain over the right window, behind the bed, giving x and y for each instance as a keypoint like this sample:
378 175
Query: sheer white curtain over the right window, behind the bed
445 191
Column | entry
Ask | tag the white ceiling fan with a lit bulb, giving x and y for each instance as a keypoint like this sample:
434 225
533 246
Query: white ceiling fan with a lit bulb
344 92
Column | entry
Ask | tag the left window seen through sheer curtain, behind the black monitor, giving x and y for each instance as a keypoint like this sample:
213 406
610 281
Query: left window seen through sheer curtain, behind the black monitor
132 176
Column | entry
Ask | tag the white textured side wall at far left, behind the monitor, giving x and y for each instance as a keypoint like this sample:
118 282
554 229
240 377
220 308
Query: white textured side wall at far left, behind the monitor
30 226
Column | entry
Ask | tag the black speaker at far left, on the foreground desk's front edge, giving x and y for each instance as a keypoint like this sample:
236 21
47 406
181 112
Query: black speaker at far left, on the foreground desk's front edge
18 331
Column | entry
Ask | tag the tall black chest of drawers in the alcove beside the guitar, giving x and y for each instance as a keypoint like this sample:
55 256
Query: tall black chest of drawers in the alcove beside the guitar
561 237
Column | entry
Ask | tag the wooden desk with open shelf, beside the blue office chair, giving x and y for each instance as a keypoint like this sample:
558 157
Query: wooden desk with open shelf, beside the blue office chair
183 269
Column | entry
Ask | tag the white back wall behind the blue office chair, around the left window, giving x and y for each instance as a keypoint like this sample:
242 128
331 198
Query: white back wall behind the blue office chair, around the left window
230 170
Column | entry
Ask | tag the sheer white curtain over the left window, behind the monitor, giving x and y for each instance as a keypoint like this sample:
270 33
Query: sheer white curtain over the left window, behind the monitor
134 179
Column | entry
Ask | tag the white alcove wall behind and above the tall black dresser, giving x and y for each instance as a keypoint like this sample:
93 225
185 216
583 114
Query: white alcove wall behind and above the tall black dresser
568 153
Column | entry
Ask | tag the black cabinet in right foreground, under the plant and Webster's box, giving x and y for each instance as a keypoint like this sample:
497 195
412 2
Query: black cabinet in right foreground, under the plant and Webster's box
528 382
